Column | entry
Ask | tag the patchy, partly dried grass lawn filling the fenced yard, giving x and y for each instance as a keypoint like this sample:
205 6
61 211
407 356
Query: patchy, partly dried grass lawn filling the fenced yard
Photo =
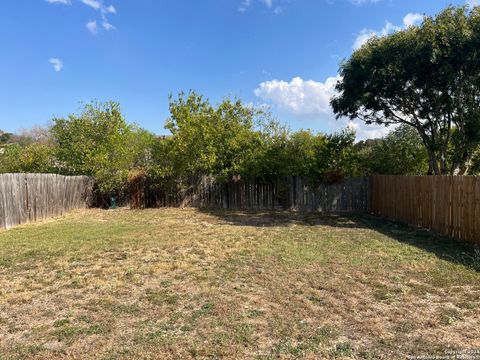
182 283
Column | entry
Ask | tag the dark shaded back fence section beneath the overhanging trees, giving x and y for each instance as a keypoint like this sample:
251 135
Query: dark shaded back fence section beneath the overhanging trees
296 193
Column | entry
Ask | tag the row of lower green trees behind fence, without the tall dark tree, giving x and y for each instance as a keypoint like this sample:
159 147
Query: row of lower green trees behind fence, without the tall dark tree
226 140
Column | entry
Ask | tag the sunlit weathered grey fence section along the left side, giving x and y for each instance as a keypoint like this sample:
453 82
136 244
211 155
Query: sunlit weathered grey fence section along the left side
31 197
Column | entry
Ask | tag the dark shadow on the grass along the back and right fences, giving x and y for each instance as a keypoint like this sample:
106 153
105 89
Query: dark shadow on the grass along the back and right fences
443 247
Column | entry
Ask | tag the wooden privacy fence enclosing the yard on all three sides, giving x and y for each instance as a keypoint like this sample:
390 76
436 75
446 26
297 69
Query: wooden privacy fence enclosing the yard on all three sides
449 205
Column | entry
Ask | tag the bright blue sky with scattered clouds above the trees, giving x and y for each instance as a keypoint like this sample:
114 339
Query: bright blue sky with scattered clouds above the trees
284 53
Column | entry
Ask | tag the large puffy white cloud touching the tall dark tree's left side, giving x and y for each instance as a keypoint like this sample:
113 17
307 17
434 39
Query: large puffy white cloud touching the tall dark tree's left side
309 100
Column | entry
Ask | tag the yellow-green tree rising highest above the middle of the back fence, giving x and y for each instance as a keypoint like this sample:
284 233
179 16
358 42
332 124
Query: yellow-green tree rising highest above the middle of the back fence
209 140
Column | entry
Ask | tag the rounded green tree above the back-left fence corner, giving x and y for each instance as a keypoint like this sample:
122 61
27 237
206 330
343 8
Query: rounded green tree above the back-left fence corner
99 142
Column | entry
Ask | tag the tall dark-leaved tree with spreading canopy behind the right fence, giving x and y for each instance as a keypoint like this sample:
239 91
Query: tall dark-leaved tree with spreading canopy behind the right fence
426 77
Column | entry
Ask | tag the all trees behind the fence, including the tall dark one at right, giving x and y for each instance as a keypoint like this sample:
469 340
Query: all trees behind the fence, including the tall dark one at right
423 81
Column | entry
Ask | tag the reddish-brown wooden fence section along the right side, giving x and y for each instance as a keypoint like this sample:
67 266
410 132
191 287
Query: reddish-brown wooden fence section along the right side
449 205
